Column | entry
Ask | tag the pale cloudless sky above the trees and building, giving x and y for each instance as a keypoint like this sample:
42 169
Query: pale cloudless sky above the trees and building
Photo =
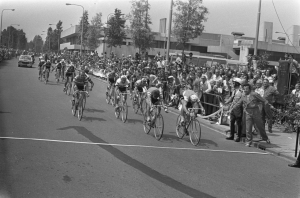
225 16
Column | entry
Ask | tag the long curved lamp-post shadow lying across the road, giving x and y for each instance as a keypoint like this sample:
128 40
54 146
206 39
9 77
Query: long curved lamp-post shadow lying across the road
138 165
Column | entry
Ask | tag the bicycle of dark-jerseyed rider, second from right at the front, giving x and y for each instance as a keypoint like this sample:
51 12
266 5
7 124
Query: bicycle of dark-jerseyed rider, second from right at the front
157 122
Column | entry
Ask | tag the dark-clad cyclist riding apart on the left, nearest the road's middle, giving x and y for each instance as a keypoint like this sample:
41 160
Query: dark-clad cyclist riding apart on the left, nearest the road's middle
79 82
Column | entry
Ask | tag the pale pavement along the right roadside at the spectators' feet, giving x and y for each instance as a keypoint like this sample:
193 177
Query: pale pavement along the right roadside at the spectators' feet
282 144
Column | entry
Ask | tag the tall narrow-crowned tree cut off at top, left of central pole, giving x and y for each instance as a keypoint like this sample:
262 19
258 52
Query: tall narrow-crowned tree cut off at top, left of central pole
139 26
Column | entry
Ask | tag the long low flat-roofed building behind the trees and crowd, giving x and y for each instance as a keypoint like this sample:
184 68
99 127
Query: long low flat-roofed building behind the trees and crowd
235 46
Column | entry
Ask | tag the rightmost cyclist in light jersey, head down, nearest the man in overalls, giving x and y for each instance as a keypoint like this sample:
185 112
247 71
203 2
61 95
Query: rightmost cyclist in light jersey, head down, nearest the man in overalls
190 100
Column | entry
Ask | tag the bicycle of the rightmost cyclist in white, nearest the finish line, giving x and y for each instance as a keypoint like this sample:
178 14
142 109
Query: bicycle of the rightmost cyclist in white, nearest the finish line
192 128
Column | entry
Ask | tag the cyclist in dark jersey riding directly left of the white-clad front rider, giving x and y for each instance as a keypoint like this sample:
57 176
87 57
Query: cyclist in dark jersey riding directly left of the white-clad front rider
154 97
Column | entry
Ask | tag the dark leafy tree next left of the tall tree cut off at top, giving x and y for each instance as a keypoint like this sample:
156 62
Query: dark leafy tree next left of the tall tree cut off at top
115 32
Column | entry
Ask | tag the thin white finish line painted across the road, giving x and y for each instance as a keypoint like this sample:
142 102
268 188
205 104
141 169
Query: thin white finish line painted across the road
125 145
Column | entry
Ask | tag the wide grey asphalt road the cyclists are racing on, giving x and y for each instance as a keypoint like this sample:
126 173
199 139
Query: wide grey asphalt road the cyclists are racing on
79 168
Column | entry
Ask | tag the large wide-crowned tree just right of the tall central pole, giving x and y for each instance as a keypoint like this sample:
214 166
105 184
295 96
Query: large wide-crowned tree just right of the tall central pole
188 20
